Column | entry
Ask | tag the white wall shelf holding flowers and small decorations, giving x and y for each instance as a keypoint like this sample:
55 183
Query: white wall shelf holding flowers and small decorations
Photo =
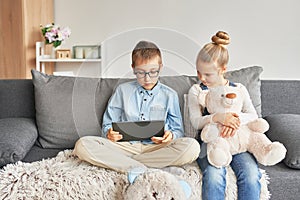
41 59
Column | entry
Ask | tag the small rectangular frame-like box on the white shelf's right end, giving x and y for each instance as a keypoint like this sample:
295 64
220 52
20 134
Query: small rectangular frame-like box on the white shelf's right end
86 51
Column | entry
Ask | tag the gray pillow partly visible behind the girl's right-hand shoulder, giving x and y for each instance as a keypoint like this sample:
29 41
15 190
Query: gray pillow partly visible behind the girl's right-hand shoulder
250 78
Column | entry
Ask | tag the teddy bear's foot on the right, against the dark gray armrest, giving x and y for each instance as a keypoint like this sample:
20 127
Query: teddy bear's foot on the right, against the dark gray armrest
276 153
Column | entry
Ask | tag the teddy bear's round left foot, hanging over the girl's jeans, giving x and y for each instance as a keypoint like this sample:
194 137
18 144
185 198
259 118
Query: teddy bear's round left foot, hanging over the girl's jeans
219 158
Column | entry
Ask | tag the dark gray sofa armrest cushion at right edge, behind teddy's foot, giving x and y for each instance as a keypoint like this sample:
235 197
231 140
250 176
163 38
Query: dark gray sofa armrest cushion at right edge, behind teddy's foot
285 128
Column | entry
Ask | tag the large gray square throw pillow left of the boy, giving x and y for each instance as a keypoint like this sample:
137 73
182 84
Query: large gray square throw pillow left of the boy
66 109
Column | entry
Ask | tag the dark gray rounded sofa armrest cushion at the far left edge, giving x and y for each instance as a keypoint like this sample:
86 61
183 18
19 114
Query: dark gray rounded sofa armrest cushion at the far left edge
17 137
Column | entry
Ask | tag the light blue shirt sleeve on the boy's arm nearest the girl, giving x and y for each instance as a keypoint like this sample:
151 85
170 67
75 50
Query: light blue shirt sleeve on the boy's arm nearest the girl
174 117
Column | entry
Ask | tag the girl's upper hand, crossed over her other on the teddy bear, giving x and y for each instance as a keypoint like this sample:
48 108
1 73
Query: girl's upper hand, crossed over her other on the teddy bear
227 119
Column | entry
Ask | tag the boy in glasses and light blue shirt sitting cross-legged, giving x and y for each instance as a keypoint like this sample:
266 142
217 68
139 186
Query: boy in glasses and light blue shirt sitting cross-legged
143 99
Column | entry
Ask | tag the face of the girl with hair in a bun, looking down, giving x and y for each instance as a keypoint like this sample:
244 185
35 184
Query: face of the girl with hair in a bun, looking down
210 74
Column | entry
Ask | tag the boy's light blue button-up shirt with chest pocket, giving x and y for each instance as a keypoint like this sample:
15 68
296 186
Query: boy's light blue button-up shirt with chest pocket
131 102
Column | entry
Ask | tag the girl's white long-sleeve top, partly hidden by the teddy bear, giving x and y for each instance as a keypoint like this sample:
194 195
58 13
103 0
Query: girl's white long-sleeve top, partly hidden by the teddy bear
196 106
